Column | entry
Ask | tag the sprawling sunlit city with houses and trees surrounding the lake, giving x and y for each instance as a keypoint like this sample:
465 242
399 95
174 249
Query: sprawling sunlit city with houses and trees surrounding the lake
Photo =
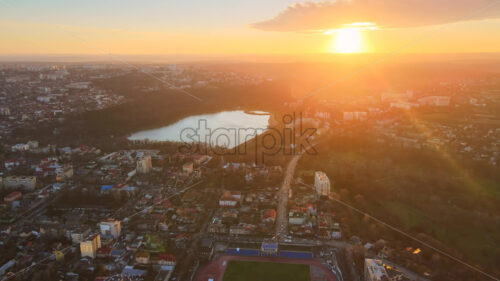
396 184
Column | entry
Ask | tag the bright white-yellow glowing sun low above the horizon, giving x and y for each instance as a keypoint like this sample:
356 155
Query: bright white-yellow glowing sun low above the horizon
346 41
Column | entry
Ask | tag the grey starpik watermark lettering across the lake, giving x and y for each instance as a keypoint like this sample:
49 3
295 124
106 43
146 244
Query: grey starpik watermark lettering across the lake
290 135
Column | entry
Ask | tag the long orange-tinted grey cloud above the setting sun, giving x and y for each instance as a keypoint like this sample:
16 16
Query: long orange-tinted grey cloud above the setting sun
313 16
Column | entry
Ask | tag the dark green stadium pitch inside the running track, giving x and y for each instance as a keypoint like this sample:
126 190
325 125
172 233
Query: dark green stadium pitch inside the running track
265 271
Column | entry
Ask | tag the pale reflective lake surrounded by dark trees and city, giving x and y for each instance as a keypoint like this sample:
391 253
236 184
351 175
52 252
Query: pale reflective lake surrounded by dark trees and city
225 128
